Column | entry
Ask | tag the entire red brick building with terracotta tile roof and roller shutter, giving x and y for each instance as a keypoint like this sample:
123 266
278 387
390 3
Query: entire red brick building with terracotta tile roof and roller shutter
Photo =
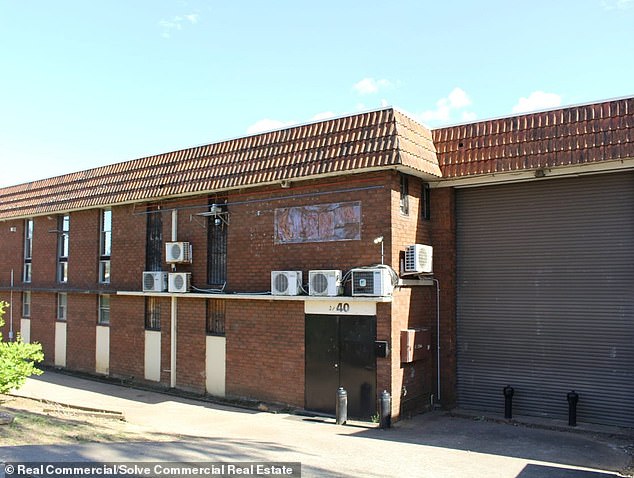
530 219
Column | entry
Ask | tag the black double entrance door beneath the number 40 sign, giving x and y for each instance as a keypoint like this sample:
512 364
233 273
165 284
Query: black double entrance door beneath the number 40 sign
340 353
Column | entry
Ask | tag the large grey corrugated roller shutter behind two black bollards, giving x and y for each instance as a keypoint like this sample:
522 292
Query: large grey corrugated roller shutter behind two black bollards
545 297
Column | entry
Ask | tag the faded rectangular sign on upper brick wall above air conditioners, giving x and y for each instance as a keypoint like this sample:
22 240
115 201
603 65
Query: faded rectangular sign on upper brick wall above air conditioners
318 223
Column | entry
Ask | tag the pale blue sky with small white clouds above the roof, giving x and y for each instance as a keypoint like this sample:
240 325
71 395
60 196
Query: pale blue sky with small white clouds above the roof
87 83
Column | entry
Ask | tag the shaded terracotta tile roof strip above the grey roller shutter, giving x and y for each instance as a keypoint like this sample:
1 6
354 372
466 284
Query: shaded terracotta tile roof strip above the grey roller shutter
568 136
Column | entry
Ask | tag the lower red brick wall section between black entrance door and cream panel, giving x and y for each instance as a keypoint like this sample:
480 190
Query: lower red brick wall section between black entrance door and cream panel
265 350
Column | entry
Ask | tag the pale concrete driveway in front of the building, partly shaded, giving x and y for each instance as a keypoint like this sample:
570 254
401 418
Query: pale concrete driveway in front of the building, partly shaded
433 445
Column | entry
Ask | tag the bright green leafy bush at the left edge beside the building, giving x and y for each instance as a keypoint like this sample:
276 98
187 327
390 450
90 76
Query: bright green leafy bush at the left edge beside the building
17 359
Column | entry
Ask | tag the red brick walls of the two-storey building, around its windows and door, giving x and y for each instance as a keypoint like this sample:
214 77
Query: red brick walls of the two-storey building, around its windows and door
265 339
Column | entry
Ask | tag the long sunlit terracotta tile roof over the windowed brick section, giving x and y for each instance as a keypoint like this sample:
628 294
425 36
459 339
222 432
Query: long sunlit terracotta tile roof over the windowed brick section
376 139
